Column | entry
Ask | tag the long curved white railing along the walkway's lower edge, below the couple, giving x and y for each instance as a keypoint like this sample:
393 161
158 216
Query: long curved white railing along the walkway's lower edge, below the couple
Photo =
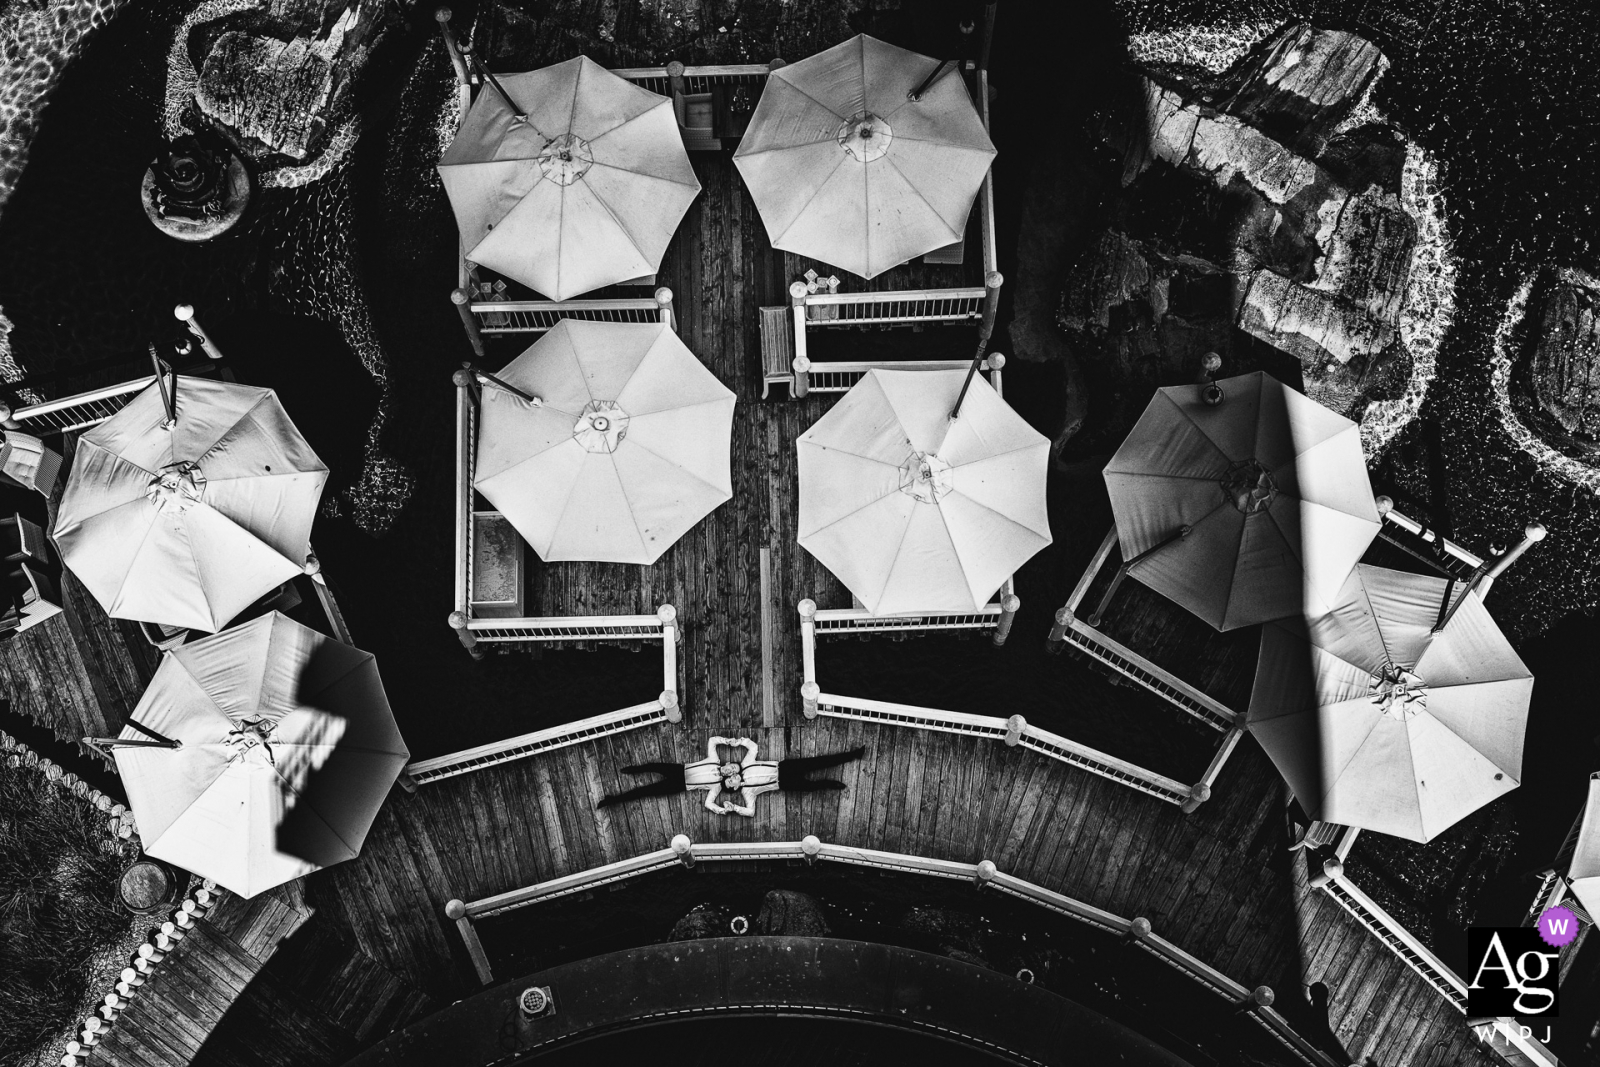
983 874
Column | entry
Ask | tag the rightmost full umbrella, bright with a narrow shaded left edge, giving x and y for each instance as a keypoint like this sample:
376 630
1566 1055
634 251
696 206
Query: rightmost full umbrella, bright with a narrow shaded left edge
1378 722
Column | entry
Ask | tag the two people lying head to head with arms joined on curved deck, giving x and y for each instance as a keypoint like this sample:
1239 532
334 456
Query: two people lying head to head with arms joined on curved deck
742 780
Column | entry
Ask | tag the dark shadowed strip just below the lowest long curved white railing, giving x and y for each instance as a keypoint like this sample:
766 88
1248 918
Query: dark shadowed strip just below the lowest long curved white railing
1079 962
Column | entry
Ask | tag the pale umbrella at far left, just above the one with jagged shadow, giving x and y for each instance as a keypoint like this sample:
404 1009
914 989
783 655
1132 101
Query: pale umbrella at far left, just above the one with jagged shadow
188 526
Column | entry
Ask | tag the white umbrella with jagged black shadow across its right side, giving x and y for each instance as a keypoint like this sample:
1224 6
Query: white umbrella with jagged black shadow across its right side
287 749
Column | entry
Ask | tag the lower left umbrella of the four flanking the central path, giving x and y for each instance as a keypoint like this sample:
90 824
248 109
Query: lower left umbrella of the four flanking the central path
625 450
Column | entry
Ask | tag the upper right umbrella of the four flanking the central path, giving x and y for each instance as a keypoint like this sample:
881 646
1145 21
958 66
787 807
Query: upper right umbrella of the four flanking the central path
846 169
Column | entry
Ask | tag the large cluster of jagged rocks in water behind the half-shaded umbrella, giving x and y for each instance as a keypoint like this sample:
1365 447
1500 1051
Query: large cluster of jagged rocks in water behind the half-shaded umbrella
1302 241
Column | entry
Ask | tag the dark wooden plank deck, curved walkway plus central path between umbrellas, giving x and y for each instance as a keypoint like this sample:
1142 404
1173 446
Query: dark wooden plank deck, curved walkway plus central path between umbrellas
1220 884
